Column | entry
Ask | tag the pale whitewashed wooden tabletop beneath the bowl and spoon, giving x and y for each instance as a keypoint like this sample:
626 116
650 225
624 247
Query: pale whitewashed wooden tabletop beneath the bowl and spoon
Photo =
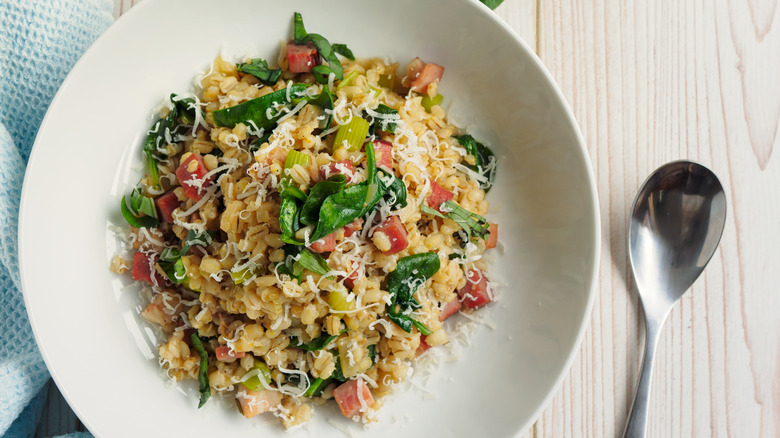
651 82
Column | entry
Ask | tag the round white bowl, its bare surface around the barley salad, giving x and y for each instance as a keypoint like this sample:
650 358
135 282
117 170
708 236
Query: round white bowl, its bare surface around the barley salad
83 161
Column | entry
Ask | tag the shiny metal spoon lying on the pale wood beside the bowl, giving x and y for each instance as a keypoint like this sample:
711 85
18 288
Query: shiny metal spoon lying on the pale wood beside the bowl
675 227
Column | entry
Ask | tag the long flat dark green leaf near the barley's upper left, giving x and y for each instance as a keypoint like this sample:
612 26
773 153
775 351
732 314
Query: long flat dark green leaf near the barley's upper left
256 109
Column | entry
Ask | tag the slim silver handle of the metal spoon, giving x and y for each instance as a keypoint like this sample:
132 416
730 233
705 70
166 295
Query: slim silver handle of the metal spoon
637 420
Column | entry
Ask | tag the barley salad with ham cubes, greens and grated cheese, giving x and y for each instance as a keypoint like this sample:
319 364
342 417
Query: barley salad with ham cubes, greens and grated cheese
303 232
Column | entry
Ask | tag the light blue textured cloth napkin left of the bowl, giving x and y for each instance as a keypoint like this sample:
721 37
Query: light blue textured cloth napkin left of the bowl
40 41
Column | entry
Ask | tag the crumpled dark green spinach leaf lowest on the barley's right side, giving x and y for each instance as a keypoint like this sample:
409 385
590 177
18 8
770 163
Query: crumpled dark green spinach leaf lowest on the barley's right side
410 273
